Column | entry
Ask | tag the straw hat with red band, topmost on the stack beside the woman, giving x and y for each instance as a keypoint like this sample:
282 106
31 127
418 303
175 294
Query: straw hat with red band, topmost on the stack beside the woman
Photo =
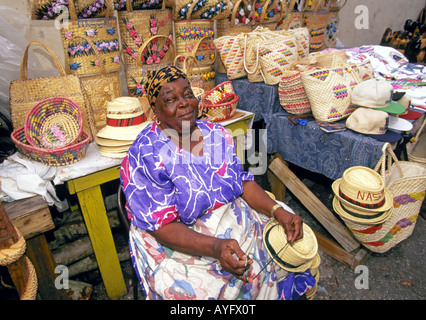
125 119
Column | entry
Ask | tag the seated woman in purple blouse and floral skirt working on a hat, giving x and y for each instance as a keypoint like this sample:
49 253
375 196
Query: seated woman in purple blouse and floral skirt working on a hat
197 217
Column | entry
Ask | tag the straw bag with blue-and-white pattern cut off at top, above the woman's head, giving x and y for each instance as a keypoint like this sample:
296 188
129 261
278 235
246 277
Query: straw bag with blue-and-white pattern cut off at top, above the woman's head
199 9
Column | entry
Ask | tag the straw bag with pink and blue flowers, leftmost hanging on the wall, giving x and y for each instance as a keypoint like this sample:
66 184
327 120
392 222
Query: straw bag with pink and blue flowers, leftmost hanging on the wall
80 56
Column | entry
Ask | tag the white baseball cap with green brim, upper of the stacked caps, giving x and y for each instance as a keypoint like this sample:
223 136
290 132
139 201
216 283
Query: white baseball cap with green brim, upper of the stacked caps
376 94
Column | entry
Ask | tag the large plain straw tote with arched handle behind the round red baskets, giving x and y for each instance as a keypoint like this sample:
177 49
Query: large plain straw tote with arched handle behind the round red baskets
26 93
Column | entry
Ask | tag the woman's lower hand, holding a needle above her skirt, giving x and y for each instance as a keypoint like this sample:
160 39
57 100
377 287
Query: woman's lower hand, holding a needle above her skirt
225 251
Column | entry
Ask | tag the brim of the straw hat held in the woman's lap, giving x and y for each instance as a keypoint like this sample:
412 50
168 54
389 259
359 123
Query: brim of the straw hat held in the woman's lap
273 253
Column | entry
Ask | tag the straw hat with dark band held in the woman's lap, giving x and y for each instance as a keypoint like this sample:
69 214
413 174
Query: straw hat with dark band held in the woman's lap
296 257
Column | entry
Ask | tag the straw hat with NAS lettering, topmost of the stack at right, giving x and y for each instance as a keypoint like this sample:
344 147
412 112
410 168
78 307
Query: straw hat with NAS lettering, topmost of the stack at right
362 190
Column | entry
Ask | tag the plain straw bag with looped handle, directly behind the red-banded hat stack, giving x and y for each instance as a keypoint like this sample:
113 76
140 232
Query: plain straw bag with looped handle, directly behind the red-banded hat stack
98 90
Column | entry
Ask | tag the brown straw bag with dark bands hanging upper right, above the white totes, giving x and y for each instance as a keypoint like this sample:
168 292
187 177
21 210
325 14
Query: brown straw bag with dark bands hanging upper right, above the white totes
316 23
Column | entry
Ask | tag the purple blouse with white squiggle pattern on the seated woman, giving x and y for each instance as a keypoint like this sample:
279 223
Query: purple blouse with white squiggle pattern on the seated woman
163 182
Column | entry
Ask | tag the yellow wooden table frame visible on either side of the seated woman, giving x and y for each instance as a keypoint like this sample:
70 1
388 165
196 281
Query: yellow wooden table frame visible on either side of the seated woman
91 201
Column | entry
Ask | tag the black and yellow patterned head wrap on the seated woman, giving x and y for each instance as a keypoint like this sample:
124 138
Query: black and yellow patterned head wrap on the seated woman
156 80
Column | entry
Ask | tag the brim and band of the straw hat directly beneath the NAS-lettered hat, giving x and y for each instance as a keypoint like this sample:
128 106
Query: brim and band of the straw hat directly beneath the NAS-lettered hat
360 217
